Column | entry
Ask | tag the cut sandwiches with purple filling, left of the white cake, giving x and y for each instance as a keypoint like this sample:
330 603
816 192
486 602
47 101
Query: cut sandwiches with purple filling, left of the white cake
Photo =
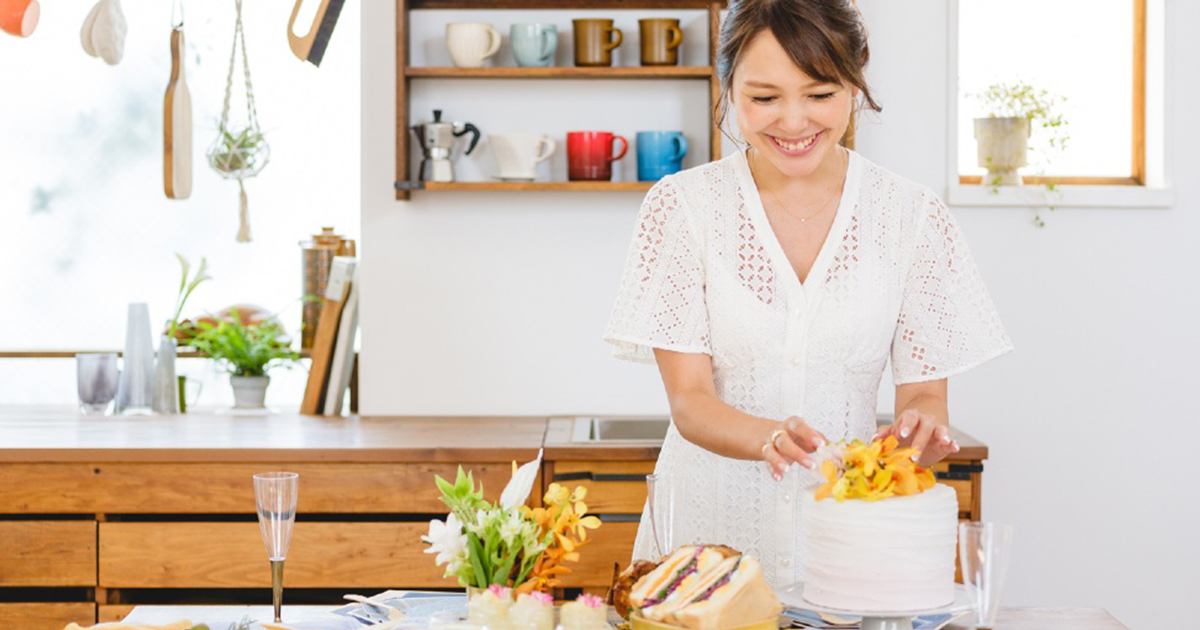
692 591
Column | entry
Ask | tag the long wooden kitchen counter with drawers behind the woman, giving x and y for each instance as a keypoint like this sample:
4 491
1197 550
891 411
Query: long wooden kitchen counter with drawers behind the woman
99 515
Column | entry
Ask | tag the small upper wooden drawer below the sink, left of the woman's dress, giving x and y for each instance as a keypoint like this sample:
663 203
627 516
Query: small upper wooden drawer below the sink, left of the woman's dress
614 488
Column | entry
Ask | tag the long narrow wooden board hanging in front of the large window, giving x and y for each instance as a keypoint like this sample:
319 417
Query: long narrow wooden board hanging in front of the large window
177 122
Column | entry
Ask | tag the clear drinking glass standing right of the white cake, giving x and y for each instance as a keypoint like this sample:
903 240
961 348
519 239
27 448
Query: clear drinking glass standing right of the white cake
983 554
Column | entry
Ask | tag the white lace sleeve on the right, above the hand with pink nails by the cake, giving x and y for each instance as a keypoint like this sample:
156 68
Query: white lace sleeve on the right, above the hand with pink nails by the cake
949 323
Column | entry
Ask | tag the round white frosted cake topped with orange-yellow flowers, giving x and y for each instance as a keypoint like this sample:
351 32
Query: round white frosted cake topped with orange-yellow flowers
880 535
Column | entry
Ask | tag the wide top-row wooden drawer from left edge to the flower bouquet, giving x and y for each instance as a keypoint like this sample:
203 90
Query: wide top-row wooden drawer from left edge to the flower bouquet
229 489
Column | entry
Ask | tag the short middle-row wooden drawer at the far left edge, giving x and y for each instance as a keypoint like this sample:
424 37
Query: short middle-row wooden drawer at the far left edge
47 554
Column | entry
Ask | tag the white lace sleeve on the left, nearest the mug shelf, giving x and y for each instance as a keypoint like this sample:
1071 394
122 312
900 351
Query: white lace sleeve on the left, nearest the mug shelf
661 303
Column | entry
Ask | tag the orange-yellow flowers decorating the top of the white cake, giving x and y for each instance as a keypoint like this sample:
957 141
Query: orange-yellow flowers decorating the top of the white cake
872 472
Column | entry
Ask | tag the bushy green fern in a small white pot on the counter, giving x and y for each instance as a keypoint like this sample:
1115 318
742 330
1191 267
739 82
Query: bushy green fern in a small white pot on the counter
249 352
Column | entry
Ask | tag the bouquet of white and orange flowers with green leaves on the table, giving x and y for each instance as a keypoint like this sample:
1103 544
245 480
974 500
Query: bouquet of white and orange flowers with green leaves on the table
508 544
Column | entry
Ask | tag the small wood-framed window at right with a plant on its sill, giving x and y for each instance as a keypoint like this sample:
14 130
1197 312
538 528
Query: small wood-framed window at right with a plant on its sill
1099 64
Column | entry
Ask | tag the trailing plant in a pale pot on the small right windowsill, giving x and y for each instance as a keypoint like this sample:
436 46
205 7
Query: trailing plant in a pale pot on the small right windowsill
1004 135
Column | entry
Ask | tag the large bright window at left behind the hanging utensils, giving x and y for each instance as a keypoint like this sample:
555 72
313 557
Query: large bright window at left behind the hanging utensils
88 227
